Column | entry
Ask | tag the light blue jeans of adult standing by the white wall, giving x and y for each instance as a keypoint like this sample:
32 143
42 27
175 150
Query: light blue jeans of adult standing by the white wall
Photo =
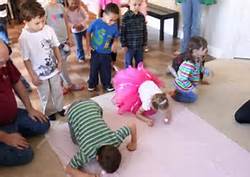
191 12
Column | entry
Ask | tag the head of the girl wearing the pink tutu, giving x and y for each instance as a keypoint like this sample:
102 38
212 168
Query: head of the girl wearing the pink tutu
159 101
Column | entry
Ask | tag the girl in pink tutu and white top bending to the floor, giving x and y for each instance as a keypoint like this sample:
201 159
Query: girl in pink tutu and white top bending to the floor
137 91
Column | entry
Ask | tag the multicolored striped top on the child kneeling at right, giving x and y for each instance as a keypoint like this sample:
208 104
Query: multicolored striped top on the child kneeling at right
188 76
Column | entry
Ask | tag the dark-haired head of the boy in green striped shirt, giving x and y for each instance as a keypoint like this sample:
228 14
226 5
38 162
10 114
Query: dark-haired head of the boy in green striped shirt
109 158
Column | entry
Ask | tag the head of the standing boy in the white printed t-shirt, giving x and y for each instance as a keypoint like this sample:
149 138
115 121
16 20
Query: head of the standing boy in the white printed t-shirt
33 15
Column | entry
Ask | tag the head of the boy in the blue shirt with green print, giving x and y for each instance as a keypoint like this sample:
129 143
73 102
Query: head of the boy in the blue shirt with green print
111 13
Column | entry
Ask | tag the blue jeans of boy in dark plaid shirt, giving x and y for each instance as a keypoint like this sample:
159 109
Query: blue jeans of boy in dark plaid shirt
133 53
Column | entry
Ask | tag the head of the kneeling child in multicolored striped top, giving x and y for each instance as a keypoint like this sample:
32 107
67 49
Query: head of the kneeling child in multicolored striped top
197 47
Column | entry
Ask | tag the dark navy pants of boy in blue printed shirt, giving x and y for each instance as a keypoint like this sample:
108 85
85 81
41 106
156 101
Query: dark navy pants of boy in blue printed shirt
100 63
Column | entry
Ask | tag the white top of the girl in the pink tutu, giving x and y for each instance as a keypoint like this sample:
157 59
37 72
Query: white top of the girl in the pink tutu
146 91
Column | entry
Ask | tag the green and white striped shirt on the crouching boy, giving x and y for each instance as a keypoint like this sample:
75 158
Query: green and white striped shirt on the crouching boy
91 132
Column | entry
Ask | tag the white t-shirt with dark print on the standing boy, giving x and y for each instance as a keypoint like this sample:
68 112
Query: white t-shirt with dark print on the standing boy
38 48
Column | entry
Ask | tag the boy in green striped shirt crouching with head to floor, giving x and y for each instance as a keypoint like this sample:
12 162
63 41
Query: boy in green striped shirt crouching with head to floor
95 139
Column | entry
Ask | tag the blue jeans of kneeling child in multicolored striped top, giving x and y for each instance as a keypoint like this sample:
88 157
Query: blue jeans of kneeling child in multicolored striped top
185 97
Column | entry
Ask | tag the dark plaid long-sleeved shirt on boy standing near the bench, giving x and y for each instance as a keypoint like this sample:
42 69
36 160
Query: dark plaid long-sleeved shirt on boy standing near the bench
133 30
